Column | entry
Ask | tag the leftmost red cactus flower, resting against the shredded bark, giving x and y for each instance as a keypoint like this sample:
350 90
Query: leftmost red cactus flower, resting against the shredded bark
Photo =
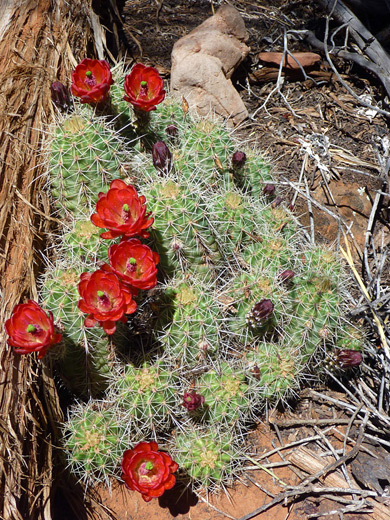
31 329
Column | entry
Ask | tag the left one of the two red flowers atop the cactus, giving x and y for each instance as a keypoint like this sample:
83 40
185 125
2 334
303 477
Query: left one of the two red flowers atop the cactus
91 81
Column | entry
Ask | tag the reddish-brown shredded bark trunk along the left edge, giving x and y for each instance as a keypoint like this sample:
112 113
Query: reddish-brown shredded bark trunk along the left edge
39 42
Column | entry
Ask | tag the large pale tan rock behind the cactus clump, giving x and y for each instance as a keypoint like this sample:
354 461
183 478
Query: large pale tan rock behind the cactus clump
204 60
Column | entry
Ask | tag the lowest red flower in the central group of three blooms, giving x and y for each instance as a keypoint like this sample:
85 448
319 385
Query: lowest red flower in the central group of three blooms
104 299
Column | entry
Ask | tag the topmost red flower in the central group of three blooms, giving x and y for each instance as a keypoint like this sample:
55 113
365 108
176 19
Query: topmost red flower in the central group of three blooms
122 211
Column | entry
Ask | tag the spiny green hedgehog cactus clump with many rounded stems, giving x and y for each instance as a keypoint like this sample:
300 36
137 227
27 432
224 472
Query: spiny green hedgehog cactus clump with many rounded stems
242 307
